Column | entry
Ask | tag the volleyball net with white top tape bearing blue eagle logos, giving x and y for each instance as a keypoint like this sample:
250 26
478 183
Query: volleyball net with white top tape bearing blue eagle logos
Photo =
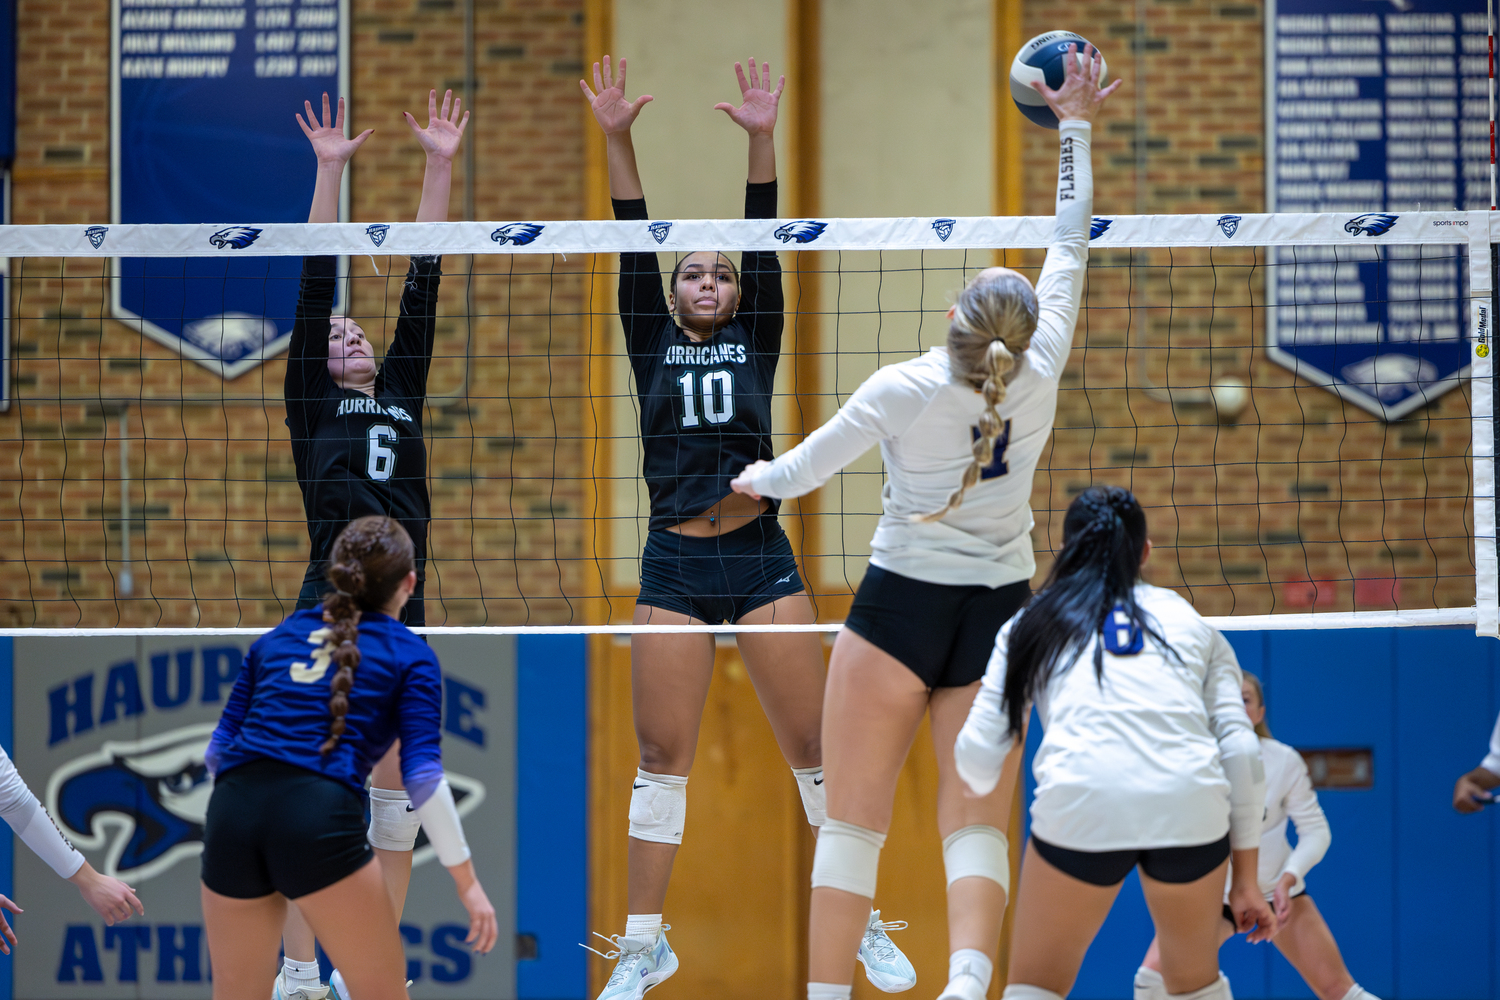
1301 403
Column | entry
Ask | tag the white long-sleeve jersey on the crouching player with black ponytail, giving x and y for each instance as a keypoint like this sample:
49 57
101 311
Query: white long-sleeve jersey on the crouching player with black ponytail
1133 761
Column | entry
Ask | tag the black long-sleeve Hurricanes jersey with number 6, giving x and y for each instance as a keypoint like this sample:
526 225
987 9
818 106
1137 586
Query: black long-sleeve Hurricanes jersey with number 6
358 455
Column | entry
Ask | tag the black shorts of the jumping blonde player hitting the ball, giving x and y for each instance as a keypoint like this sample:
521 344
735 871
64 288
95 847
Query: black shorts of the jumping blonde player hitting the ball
944 633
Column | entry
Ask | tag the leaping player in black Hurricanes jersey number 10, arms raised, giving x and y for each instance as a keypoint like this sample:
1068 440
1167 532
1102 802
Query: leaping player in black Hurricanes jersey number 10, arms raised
704 359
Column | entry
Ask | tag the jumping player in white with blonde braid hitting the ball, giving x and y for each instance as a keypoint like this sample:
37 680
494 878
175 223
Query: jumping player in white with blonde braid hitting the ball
961 431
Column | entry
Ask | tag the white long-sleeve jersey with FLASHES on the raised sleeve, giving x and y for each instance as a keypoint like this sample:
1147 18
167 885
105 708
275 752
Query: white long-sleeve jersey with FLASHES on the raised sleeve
925 422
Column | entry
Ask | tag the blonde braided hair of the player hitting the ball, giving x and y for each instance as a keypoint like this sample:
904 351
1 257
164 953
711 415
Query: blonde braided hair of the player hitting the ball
992 328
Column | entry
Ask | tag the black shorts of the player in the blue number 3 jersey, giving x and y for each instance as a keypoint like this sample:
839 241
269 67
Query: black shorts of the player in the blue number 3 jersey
277 828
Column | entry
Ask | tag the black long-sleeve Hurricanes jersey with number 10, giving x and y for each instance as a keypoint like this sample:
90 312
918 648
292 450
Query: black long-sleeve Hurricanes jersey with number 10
706 406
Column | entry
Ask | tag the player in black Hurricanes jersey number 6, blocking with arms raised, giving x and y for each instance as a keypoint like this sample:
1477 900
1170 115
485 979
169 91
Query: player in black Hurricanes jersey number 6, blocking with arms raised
356 440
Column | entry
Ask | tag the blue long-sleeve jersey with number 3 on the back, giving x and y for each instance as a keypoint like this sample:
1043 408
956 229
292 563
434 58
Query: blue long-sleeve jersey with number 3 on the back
280 705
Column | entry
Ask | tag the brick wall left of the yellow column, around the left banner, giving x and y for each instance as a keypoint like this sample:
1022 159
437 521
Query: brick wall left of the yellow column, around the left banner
217 527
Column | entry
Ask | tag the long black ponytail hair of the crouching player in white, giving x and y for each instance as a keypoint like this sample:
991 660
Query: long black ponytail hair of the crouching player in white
1103 542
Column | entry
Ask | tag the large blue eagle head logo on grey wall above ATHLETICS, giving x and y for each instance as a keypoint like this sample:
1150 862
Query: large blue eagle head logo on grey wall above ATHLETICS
143 803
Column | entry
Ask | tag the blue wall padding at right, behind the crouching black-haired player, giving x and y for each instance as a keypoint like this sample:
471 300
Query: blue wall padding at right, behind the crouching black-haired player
1409 887
